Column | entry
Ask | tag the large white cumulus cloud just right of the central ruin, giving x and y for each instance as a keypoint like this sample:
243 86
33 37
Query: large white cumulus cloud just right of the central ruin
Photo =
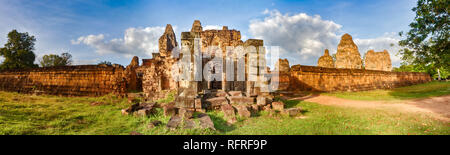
302 38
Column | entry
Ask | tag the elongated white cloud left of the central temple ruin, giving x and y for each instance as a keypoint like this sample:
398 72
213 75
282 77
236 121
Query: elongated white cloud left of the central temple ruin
136 41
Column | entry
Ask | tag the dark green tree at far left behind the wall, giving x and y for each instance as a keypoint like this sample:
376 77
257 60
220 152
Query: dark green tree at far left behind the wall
18 51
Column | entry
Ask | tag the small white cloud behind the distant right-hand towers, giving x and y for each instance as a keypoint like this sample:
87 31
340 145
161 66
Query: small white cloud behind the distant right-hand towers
389 42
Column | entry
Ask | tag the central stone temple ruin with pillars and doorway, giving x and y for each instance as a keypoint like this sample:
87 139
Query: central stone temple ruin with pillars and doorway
201 95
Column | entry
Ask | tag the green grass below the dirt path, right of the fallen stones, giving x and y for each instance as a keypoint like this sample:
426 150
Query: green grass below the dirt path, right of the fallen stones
328 120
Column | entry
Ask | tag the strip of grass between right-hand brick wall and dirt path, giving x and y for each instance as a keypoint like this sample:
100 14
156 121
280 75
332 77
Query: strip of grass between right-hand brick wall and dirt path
430 89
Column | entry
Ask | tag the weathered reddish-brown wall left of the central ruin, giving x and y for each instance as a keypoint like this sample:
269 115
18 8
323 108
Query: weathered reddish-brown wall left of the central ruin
84 80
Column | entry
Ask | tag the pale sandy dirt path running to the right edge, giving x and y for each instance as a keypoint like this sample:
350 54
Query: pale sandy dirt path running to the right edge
438 107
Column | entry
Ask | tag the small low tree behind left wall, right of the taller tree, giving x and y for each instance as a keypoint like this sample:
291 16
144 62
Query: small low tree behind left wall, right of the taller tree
56 60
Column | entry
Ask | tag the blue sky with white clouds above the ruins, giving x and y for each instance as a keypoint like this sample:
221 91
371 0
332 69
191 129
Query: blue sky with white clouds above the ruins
94 31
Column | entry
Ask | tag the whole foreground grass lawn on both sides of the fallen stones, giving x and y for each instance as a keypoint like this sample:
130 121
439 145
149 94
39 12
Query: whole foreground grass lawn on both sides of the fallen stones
26 114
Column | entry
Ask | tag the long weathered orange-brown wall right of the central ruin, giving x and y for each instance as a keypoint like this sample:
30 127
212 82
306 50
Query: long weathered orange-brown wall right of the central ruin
311 78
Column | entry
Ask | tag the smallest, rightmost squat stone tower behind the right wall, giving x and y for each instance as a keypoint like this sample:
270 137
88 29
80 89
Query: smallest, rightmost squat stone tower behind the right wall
377 61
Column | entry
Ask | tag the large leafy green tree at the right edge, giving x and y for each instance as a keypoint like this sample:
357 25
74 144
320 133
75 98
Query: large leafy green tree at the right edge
427 42
